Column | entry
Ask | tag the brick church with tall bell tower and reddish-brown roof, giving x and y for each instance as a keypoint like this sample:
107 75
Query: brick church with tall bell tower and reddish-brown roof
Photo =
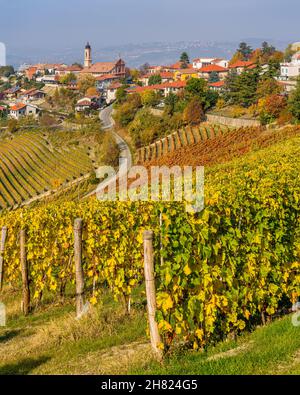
115 69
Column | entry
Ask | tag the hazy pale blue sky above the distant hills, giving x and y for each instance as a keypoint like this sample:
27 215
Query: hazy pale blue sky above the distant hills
60 24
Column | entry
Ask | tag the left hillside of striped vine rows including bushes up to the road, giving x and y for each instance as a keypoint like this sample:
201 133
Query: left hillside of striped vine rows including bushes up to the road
32 164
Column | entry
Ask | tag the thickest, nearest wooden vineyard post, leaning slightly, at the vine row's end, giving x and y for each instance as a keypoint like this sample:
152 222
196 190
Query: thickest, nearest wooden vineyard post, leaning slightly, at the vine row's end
150 292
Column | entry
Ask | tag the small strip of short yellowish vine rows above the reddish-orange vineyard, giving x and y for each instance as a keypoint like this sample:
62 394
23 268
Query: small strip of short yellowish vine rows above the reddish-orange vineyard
178 139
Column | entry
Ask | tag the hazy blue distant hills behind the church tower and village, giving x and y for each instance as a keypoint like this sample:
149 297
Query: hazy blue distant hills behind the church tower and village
136 54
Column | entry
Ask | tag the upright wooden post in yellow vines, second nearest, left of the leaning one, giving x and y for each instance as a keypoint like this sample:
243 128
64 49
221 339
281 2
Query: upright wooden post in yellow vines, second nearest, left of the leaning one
78 266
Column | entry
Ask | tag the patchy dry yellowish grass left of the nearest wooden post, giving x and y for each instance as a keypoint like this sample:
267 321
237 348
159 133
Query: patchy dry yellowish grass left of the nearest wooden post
51 341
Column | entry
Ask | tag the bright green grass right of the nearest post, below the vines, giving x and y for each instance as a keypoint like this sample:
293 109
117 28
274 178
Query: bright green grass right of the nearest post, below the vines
273 349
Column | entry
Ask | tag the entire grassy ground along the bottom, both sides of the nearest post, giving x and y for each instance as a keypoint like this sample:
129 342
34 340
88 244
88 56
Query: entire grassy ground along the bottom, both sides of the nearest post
107 341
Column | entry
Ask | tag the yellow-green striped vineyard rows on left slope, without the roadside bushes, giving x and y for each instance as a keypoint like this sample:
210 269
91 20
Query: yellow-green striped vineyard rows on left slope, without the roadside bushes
30 166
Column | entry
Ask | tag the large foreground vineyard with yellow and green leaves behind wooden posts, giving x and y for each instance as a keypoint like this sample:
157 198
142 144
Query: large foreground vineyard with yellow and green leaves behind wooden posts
218 272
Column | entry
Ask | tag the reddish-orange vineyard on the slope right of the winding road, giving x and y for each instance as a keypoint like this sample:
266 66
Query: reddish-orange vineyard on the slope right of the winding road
219 147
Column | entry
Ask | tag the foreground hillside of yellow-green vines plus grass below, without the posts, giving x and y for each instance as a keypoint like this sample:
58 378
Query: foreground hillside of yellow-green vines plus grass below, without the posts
219 274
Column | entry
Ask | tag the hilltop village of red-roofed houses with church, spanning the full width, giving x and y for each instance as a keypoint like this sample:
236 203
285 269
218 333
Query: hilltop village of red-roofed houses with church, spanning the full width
92 86
